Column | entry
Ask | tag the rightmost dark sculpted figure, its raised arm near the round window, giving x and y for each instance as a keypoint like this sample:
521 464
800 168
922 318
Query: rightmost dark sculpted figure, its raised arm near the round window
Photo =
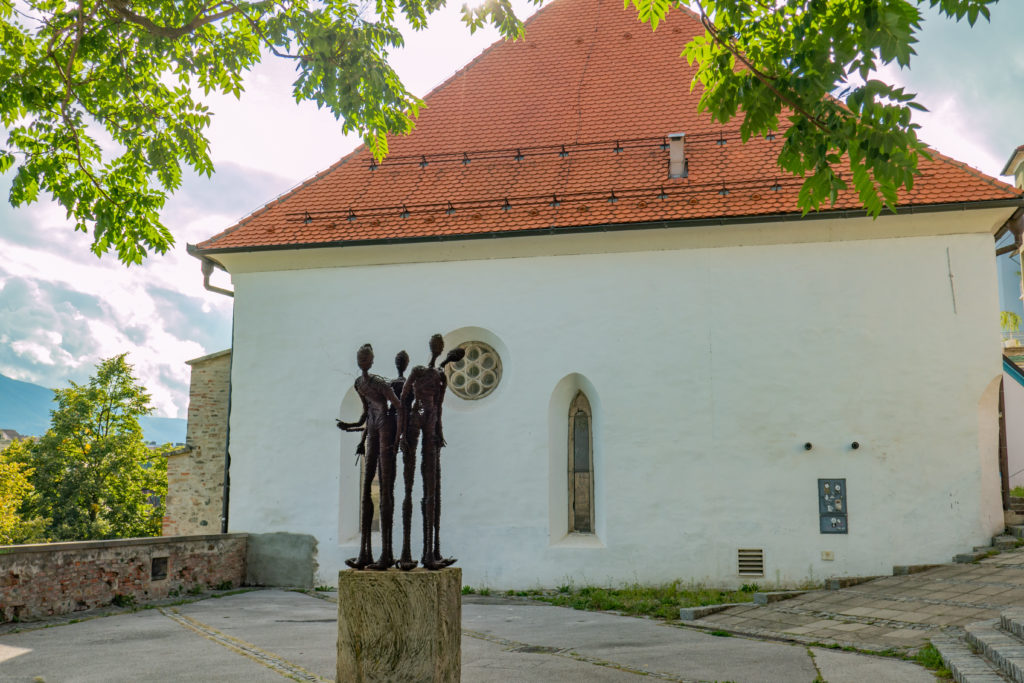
422 397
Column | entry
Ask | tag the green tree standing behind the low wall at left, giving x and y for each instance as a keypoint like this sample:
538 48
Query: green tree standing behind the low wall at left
95 477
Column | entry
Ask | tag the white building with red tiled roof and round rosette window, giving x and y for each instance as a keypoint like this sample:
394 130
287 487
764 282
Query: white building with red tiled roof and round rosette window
730 355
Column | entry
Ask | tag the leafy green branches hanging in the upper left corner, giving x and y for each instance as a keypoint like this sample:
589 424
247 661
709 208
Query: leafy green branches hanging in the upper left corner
134 72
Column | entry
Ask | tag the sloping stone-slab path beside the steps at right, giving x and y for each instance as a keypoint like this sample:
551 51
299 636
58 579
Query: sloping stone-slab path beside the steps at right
892 613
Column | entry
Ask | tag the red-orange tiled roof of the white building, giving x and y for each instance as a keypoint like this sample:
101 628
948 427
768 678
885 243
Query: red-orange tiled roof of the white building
564 130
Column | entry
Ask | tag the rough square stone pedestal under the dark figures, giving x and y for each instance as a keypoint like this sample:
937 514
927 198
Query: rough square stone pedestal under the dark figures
400 626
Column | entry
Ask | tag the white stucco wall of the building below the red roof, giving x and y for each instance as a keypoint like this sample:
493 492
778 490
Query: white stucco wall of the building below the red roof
708 370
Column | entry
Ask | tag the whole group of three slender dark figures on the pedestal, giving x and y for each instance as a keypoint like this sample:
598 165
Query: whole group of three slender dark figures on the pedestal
399 414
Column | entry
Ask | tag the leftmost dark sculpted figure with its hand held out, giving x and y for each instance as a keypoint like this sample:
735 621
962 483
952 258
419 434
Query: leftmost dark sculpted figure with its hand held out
381 423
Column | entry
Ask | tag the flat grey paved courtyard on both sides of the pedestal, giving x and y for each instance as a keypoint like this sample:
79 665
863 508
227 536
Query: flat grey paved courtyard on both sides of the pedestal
274 635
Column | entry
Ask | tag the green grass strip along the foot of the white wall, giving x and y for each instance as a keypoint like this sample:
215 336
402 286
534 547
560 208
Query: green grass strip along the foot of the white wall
660 602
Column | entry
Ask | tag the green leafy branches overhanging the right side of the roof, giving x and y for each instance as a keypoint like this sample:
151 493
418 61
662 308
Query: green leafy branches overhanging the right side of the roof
766 61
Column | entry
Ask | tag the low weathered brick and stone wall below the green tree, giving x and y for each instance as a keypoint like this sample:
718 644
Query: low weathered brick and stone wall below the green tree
42 580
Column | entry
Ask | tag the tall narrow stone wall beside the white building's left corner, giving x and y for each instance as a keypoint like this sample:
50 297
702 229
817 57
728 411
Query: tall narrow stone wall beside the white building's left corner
196 475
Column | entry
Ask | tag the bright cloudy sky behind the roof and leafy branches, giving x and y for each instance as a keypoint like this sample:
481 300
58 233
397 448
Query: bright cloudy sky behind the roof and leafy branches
62 310
